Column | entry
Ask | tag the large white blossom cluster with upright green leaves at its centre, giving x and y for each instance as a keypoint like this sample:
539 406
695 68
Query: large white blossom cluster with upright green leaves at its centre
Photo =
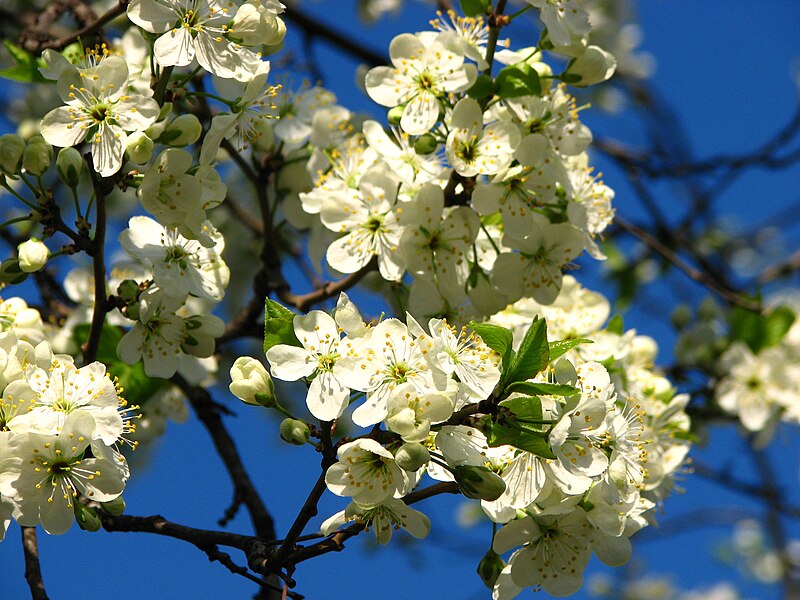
578 450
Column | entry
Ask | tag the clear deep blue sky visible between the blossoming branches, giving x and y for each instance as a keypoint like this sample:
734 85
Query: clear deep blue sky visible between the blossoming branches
727 69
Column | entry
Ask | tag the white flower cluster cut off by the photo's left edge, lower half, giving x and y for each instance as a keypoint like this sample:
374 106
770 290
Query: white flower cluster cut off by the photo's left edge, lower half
60 427
